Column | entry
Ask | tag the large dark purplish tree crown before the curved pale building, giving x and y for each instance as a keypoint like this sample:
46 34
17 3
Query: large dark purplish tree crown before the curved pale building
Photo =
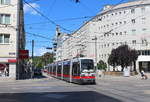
123 56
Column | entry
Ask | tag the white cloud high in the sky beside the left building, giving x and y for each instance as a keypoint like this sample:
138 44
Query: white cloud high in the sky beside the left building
28 9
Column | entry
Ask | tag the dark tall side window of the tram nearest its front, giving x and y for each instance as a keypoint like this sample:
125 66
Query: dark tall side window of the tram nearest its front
76 69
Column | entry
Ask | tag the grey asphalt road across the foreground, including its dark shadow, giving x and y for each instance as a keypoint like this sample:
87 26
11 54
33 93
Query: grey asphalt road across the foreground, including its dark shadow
108 89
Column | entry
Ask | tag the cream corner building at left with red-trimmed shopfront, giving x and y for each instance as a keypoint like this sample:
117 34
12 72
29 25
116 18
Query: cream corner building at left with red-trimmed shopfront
12 37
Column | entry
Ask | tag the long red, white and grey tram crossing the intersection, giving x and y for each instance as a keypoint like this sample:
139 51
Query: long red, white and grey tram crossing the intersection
76 70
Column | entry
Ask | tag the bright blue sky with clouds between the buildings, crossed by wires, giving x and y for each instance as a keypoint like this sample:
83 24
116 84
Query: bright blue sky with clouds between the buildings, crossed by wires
61 12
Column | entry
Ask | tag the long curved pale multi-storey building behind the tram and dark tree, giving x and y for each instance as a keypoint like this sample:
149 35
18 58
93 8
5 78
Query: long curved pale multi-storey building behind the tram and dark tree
123 24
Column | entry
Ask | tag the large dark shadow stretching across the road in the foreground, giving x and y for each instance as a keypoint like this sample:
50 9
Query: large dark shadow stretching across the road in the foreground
79 96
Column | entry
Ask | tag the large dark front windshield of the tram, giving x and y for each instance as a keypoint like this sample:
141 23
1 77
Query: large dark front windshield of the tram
87 64
